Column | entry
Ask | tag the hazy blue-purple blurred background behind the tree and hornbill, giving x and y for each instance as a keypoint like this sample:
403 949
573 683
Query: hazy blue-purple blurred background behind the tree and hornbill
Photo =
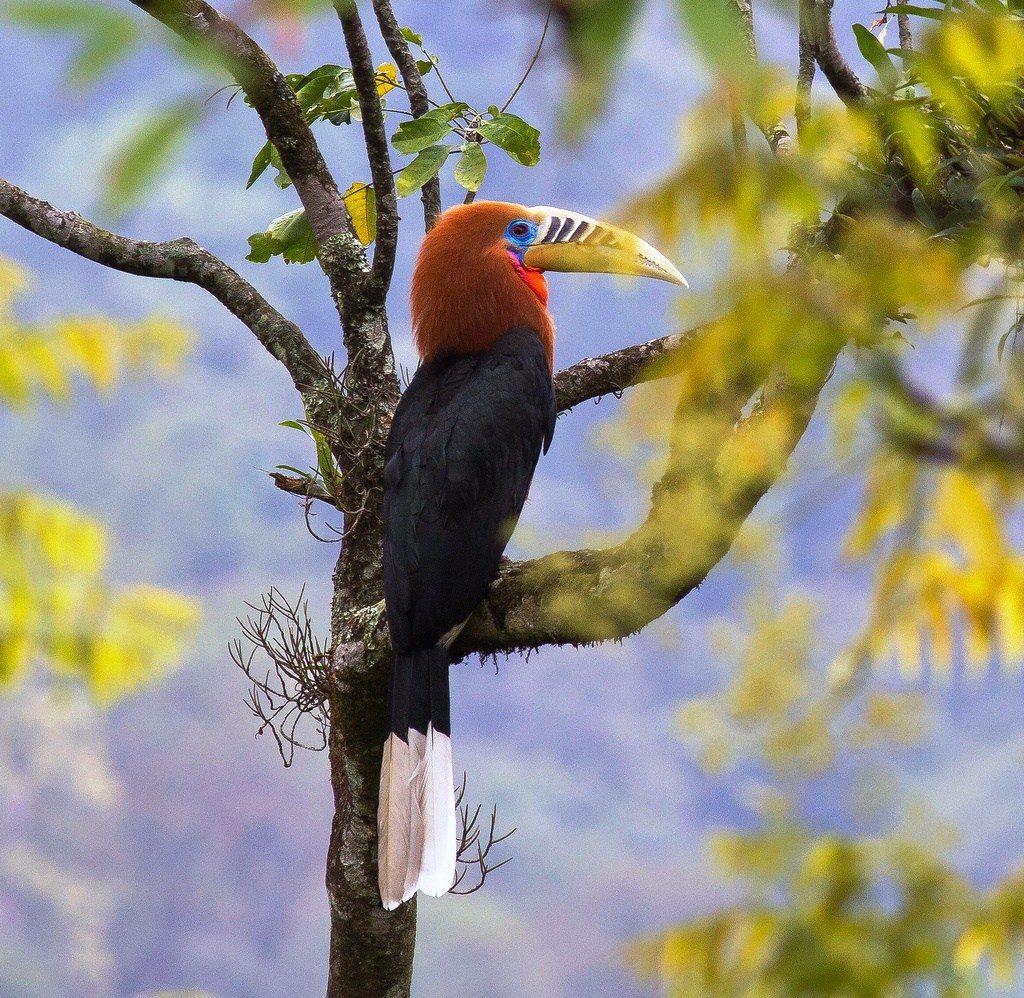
203 864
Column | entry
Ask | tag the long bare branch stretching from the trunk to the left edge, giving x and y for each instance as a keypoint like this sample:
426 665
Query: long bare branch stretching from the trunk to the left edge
179 261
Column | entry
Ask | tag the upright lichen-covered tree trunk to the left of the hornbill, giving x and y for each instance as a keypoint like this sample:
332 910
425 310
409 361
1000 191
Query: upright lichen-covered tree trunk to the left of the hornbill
371 948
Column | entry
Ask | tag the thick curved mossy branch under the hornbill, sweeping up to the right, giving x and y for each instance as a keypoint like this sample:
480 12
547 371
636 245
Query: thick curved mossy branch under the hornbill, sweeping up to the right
698 508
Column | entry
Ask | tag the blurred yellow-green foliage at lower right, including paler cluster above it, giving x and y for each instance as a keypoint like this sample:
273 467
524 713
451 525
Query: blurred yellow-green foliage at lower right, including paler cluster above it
826 914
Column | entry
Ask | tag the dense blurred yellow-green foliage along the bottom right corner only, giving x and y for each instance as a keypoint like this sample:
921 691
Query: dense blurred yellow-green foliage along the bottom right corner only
844 917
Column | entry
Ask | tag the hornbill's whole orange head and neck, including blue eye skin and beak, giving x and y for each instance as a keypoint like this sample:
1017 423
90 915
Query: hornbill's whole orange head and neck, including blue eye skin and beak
481 272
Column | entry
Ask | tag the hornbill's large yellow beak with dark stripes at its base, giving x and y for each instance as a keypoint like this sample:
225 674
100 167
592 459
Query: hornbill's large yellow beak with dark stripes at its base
571 243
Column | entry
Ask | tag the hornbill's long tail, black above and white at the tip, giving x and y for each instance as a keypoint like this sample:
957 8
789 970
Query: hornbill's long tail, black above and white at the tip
416 816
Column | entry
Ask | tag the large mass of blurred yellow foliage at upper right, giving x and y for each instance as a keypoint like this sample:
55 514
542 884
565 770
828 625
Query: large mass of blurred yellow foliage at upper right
893 209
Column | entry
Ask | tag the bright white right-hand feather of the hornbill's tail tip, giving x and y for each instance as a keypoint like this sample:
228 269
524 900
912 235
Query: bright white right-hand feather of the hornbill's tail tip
436 791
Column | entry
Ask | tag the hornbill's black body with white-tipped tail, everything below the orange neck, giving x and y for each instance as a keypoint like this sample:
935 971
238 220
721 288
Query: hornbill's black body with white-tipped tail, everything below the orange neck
460 458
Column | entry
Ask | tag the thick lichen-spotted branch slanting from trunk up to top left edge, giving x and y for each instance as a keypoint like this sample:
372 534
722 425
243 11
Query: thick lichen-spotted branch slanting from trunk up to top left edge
198 23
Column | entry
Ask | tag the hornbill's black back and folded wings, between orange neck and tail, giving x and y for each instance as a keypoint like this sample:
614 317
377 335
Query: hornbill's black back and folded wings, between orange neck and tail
460 458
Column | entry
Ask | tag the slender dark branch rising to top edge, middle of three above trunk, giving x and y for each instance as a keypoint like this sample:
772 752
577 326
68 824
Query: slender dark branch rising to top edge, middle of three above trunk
375 138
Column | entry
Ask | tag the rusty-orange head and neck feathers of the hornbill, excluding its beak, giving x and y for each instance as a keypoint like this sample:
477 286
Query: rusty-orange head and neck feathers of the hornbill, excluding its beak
468 290
